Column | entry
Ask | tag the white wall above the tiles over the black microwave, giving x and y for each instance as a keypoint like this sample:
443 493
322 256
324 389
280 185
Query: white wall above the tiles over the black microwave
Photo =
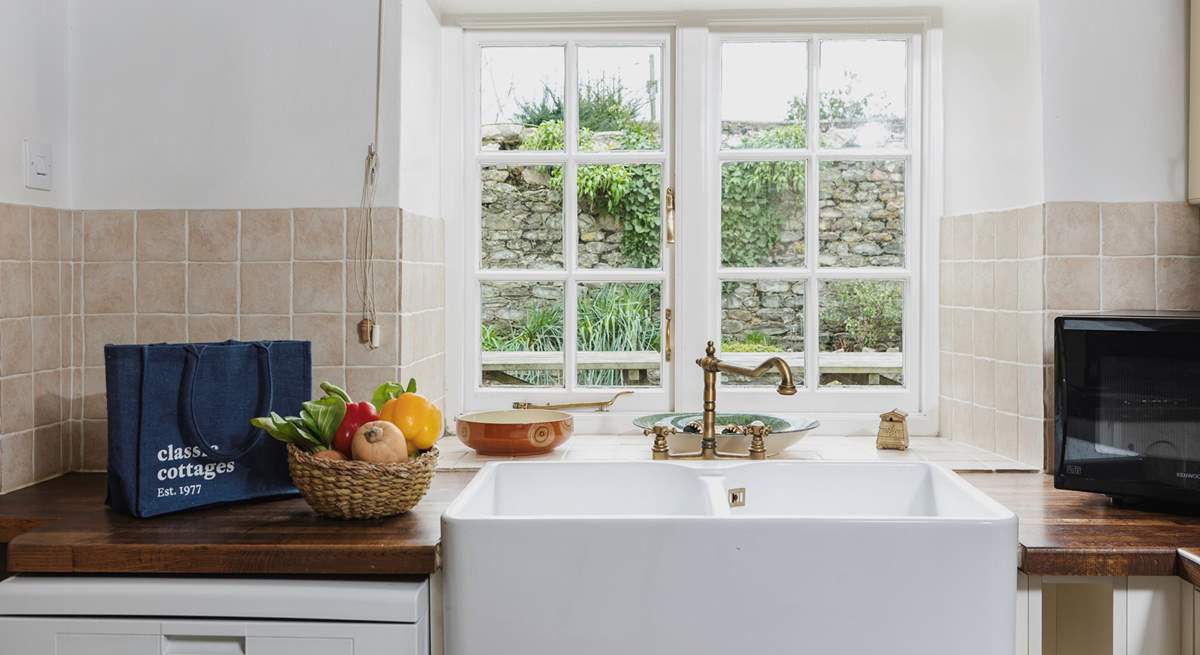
1115 100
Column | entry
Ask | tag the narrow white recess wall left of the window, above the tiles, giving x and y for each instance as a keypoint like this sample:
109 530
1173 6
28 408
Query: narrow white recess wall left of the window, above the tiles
421 91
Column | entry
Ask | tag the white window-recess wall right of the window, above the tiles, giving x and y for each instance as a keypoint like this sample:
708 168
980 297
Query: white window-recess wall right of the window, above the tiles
993 109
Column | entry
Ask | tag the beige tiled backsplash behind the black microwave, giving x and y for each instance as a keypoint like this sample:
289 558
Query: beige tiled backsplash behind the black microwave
1007 275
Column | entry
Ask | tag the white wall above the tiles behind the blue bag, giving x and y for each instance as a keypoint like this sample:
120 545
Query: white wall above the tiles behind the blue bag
229 104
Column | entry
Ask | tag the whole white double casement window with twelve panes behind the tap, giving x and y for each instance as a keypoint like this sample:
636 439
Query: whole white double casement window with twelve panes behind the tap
628 197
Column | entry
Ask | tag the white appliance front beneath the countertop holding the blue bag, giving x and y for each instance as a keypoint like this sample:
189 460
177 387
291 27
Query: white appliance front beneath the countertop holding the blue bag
159 616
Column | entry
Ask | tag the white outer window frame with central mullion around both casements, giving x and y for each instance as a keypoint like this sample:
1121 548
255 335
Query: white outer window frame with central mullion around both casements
697 136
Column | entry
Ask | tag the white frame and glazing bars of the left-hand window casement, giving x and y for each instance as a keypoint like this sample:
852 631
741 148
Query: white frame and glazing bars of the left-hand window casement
645 399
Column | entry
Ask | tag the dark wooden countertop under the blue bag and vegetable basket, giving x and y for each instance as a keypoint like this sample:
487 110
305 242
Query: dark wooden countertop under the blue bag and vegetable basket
63 527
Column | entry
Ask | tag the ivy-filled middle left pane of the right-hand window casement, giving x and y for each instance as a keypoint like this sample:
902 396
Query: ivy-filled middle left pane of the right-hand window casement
763 214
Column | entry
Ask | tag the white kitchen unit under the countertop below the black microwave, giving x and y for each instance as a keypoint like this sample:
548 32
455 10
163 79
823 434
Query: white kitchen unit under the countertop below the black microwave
1099 616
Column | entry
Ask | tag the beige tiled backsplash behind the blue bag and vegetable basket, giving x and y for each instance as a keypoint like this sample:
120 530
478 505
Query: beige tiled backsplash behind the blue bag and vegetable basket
196 275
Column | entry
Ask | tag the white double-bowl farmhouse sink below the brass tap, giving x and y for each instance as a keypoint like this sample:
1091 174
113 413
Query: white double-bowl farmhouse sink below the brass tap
651 558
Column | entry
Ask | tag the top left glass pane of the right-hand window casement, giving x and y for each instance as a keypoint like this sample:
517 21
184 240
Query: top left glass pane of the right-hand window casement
764 95
